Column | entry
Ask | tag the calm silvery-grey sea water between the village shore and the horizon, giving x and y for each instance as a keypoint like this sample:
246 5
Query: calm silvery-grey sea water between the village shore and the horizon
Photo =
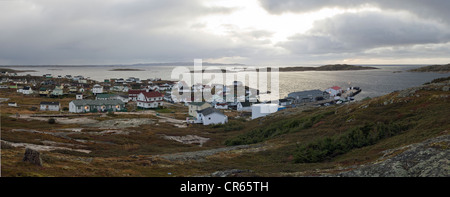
376 82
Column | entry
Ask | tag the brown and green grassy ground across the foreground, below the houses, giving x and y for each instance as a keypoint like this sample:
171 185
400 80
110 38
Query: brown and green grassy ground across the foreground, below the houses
292 142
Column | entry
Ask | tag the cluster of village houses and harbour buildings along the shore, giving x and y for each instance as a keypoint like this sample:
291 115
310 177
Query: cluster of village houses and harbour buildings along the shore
85 96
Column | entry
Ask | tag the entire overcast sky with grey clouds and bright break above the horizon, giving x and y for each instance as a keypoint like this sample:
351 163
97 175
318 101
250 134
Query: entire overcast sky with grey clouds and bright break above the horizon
224 31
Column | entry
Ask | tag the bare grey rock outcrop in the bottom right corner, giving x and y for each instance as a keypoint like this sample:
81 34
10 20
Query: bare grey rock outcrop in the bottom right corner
426 159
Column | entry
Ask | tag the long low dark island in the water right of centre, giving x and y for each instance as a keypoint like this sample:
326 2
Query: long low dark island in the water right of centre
331 67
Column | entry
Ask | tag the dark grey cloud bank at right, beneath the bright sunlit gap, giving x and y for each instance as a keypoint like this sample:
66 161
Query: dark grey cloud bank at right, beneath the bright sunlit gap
354 32
